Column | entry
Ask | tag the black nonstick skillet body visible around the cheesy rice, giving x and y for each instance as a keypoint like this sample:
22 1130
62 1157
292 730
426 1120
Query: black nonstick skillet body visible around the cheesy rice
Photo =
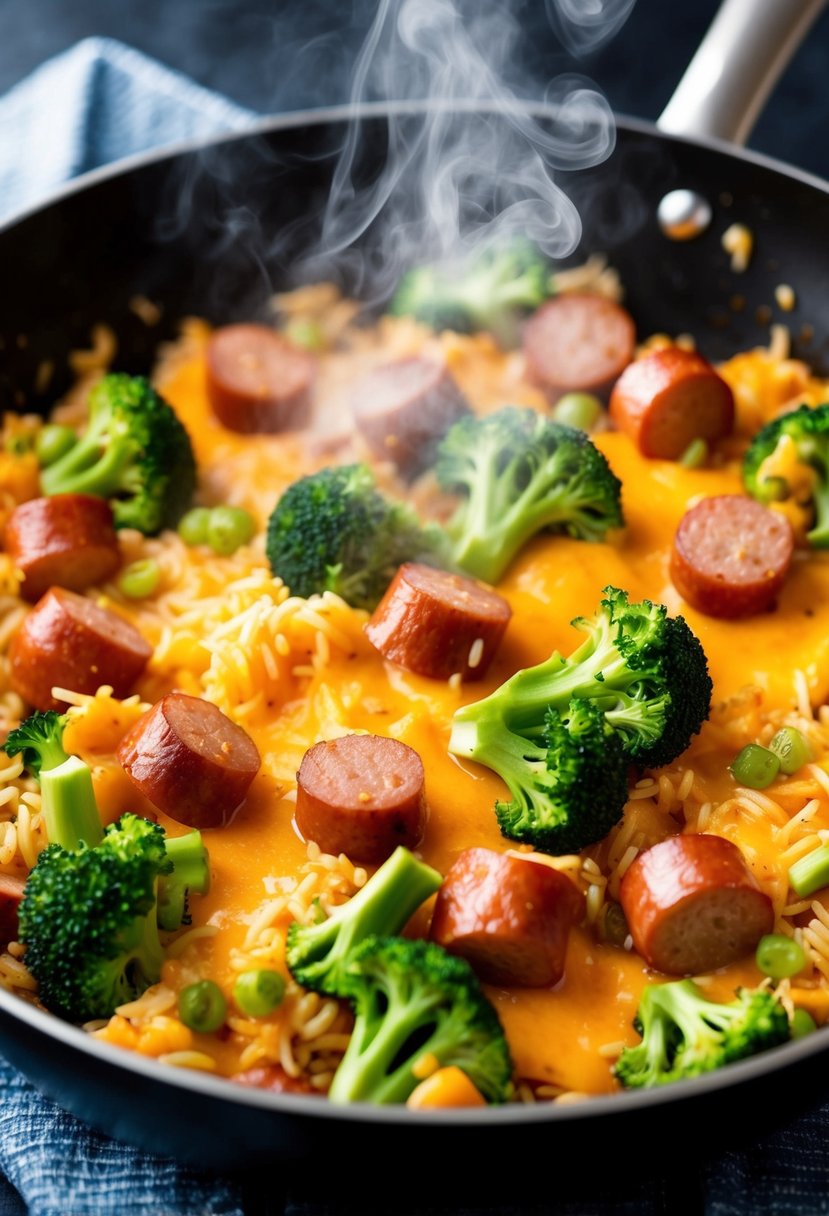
98 245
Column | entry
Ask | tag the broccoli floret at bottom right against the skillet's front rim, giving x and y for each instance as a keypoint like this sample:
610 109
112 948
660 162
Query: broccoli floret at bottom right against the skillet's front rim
684 1034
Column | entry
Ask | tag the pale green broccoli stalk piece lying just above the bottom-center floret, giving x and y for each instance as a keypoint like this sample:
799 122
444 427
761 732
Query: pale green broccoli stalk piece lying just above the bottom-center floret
317 953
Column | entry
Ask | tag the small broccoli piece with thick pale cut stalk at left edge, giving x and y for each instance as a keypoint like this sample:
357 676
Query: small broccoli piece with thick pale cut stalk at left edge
66 784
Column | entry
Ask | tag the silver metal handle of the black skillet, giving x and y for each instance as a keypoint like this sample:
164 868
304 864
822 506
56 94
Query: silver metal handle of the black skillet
737 66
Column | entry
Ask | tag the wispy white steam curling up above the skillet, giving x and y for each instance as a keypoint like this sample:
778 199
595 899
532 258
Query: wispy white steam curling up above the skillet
472 165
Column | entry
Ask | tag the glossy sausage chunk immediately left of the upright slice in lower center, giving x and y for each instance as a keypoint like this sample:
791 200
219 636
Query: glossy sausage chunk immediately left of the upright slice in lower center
190 761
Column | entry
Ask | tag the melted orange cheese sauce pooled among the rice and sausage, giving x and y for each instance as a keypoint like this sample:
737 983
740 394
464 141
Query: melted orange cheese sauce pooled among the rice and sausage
565 1037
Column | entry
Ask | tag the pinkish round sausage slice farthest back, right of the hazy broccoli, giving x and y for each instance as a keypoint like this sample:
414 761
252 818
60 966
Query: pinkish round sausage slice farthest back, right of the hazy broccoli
578 344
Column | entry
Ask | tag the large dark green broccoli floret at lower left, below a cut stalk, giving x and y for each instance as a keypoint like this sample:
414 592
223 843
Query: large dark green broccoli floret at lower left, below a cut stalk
88 921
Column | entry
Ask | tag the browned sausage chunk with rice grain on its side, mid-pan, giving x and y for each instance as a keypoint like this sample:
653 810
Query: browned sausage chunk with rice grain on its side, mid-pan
437 624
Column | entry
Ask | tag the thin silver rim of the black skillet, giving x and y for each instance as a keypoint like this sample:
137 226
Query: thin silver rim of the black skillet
600 1107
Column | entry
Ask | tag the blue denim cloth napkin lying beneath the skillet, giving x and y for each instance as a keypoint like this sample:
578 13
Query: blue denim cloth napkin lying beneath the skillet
91 106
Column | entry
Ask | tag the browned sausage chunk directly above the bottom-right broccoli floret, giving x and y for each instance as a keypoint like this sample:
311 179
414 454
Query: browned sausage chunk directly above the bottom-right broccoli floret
693 905
